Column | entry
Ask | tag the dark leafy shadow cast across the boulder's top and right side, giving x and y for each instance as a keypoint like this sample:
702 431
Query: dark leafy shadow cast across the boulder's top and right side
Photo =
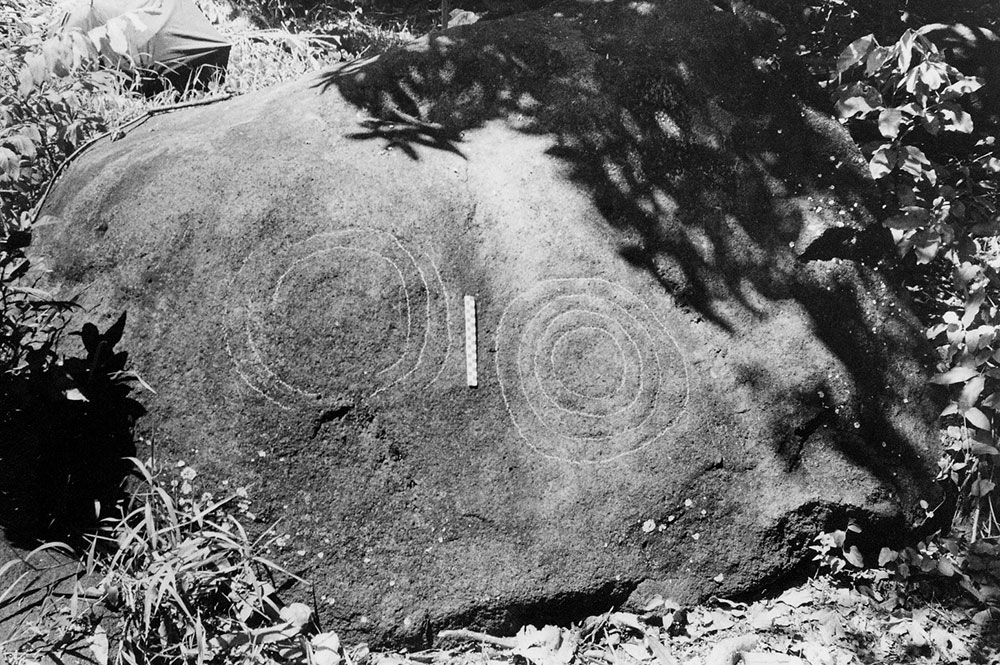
695 149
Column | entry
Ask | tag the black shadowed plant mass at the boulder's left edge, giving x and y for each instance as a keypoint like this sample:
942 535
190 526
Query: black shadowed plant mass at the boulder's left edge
64 431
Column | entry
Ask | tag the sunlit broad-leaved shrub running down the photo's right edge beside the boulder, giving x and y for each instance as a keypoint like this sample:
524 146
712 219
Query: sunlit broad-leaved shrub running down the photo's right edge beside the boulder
912 114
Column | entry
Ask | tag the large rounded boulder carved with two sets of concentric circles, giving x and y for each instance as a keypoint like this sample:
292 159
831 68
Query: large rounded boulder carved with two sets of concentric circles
685 369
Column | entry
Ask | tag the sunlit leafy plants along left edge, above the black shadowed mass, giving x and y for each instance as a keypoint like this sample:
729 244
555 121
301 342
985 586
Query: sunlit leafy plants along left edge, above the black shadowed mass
41 122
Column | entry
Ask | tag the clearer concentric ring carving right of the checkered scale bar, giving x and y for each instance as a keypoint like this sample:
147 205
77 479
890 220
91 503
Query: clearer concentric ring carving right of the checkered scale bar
587 370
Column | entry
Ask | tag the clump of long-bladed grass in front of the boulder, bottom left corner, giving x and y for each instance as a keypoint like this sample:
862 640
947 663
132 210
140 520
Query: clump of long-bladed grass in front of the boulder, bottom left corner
178 580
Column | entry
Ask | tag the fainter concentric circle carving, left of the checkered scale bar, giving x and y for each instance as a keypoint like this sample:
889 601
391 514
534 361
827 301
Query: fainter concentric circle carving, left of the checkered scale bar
351 311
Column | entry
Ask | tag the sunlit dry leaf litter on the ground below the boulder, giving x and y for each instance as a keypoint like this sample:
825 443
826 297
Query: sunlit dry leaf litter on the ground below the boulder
820 622
